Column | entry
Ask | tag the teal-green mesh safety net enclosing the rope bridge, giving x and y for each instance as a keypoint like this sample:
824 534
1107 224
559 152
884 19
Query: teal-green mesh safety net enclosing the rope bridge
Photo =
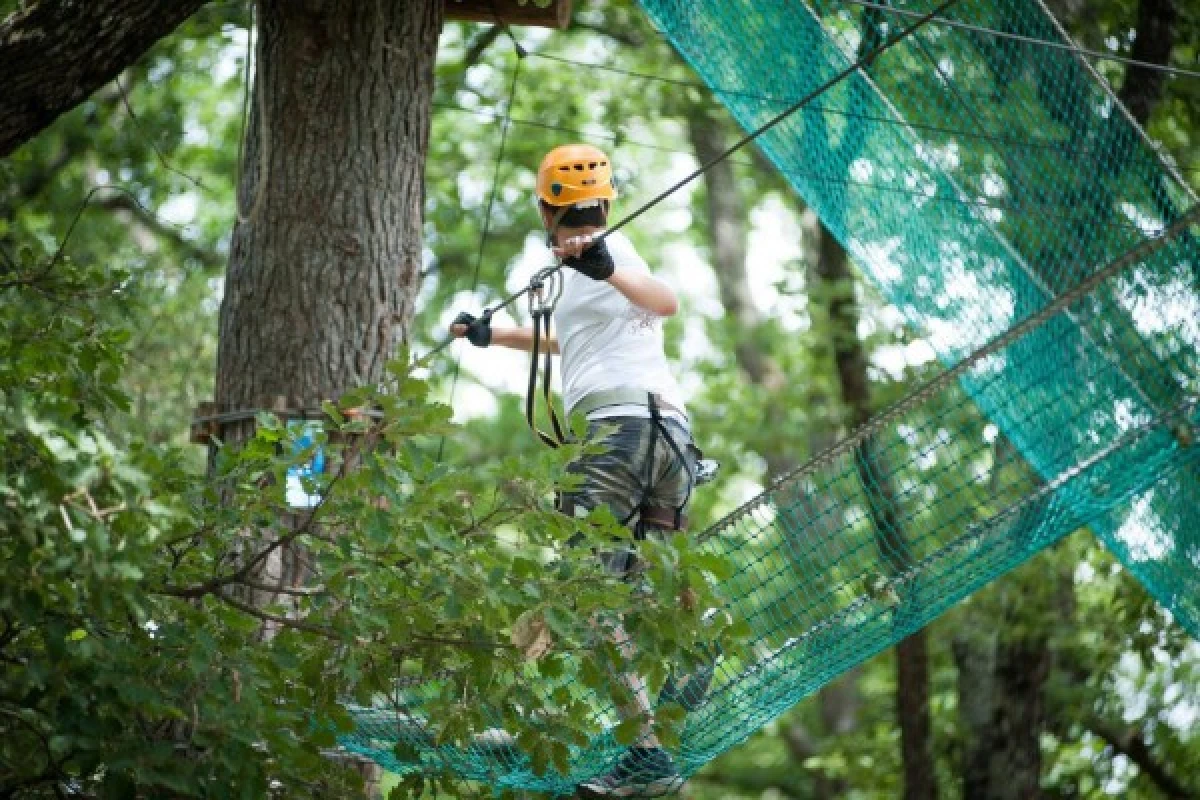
997 193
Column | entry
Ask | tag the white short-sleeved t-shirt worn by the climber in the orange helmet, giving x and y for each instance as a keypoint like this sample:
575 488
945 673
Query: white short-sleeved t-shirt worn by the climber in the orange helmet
607 342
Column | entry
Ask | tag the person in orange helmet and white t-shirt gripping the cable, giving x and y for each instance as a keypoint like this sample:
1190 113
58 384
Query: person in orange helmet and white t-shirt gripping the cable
616 374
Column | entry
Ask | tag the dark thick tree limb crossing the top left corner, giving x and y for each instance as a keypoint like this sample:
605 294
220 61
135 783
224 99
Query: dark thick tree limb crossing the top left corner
55 55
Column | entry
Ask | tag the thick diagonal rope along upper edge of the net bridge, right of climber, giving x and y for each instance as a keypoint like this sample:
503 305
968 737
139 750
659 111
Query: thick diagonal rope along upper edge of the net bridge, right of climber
929 389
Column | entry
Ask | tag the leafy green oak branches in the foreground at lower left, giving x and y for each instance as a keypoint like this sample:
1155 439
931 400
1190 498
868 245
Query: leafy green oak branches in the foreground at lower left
130 643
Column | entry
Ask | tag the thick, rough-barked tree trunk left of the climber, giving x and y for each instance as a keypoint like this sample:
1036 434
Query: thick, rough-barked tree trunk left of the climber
325 267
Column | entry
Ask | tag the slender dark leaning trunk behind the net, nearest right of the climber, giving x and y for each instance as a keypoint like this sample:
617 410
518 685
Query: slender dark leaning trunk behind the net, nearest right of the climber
913 659
